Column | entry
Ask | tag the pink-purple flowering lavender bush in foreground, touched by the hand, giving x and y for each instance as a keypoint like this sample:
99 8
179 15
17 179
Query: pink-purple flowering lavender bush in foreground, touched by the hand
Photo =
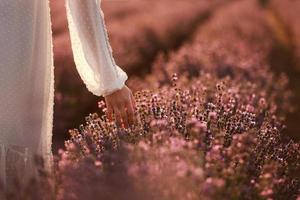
203 139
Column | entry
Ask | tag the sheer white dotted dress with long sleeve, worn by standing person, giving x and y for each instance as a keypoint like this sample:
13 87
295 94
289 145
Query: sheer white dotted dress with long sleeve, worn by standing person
27 78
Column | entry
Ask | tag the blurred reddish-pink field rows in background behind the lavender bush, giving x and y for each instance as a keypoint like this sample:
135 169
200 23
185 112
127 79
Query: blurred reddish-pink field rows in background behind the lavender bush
141 32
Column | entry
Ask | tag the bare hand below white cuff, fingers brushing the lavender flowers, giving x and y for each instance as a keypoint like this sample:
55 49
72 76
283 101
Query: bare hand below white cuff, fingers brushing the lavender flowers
121 103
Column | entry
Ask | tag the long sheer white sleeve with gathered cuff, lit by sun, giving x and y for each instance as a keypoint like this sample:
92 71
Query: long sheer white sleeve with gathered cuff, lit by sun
91 49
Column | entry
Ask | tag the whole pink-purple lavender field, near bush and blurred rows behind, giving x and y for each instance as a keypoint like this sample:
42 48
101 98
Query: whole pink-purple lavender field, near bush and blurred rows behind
216 85
